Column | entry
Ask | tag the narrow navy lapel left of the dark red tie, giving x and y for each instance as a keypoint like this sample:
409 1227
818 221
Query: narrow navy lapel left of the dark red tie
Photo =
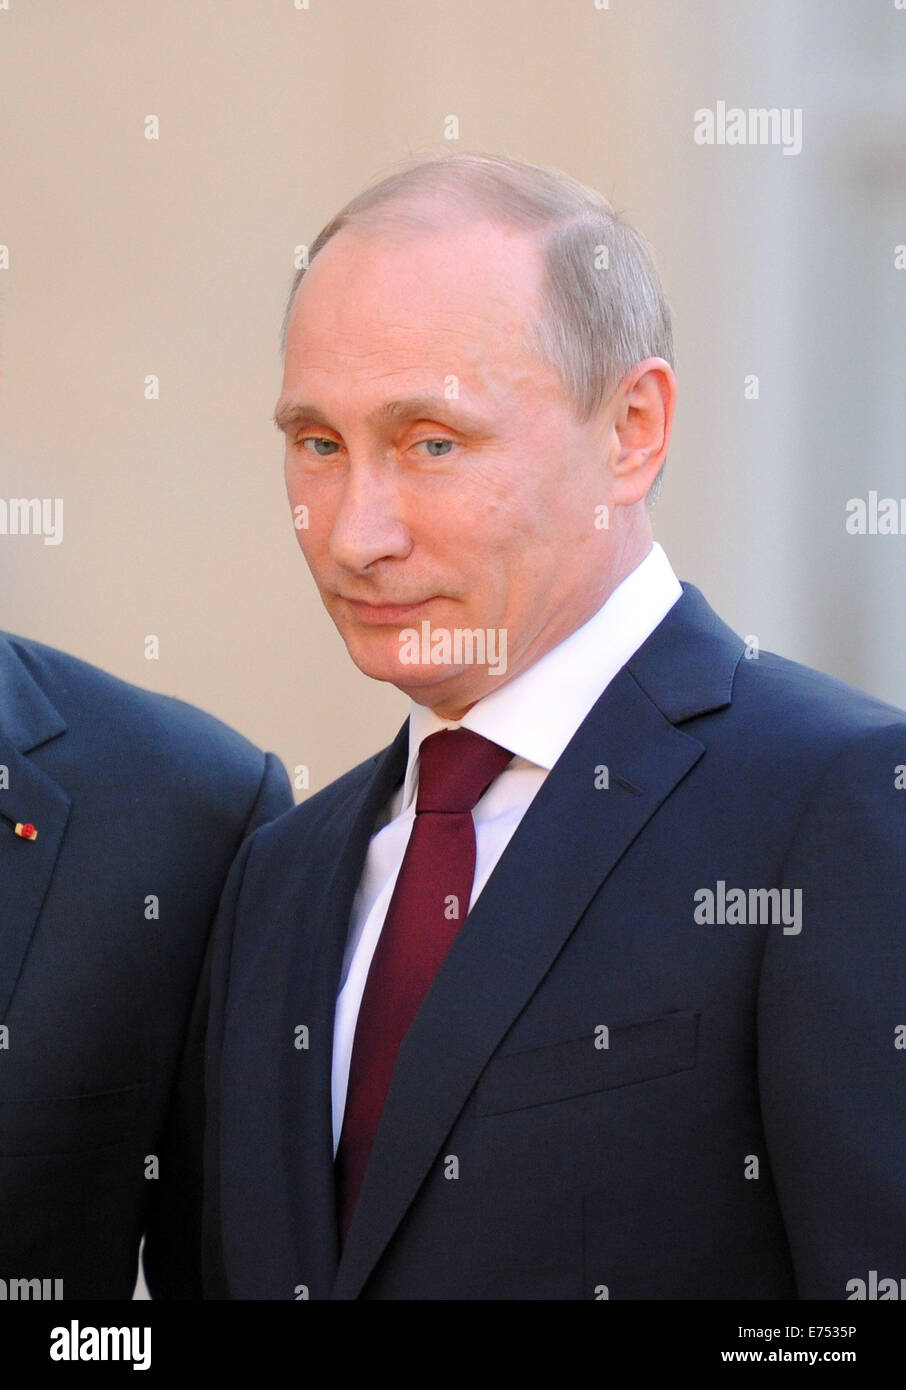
308 1111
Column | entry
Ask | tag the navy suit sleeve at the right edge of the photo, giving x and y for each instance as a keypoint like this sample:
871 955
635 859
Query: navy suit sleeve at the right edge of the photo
833 1027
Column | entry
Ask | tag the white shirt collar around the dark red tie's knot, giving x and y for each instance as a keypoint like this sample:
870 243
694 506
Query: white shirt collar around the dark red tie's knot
538 712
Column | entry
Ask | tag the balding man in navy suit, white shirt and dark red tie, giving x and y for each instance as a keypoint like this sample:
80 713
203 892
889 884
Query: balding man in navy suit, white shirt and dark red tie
657 1058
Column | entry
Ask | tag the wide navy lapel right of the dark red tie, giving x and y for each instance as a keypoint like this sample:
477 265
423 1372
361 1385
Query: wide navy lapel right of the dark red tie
572 836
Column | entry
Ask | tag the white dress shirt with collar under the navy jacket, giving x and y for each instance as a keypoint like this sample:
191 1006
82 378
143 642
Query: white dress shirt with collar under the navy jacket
536 715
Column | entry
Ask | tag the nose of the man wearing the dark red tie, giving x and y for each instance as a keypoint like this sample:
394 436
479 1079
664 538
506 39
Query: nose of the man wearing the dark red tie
369 525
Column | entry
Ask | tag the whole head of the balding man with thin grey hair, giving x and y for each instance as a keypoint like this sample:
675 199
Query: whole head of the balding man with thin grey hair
477 401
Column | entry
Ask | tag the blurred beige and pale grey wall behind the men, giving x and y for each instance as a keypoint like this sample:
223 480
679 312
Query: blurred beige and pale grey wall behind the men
173 258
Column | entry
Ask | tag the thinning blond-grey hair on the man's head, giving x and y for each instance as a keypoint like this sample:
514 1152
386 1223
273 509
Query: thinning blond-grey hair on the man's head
602 304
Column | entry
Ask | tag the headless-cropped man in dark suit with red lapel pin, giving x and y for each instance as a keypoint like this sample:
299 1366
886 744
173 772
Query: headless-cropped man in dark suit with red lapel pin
120 815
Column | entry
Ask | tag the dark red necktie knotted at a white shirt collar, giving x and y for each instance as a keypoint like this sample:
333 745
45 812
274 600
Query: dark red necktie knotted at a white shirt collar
427 910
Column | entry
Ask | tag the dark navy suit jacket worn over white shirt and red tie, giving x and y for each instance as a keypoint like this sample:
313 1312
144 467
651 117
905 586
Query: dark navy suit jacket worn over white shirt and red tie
743 1135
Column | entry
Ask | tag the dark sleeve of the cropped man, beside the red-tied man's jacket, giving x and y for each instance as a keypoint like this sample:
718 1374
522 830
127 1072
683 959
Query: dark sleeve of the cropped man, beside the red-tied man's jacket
173 1257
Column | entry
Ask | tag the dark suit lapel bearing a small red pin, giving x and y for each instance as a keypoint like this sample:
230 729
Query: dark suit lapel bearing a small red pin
27 721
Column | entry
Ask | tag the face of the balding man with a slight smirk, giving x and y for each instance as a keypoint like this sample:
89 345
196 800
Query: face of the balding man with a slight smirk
444 476
